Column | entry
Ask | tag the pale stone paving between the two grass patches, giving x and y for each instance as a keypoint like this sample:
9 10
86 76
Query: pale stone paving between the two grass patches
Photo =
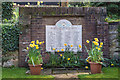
65 74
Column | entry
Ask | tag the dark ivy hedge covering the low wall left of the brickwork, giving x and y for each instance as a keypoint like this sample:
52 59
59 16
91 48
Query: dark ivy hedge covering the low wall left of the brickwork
10 37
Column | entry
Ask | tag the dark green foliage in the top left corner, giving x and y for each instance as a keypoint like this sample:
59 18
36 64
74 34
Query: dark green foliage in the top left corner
7 8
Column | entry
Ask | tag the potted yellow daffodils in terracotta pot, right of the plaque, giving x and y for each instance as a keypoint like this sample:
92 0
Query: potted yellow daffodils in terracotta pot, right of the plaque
95 55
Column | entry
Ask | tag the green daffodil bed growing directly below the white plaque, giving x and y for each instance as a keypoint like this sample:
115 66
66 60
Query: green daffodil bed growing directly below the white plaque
66 59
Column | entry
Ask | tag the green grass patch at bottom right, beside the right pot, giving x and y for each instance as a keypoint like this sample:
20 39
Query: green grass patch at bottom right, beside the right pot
109 72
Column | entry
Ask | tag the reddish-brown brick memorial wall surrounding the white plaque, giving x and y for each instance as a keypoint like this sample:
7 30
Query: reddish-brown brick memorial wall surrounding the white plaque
34 19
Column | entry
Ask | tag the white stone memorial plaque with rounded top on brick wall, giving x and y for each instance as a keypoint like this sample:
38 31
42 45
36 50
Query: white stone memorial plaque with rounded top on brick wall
63 32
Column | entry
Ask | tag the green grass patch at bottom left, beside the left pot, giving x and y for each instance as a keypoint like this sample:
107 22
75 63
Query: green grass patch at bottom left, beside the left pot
20 73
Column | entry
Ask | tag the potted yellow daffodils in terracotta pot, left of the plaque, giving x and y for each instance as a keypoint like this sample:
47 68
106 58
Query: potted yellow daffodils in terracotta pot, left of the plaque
34 57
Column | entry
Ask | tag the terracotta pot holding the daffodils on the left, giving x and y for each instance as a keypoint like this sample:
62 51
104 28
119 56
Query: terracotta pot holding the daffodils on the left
35 70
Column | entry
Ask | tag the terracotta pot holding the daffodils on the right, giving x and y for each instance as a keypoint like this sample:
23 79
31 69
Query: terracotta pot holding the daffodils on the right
95 67
